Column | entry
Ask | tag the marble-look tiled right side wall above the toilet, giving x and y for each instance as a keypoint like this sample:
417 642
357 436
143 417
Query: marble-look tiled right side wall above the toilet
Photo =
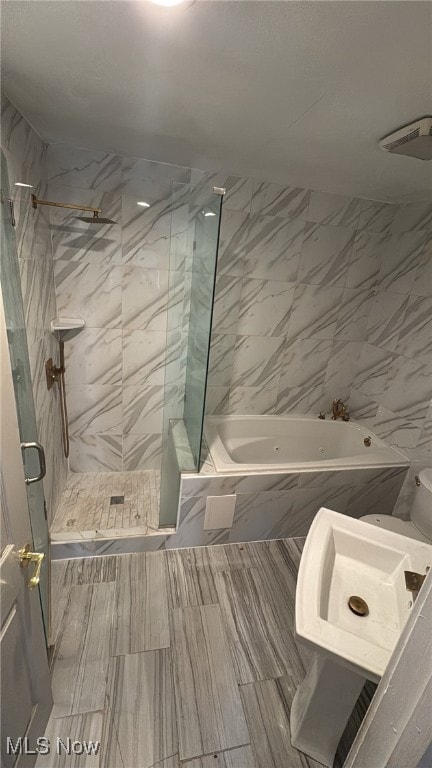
392 388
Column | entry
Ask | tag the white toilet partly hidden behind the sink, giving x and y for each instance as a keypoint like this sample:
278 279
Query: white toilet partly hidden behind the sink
420 525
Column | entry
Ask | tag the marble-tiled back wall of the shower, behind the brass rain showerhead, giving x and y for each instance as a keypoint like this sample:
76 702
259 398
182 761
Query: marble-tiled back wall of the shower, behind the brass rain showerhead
121 279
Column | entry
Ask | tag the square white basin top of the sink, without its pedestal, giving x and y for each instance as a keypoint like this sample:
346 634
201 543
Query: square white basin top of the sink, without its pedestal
346 557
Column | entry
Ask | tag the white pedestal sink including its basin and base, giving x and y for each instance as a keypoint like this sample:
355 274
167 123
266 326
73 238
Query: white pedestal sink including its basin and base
344 557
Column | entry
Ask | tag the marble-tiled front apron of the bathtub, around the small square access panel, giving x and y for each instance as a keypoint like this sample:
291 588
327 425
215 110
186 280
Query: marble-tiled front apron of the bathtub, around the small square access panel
269 506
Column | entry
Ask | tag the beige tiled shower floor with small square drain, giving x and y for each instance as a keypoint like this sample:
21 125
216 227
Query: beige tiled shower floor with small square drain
108 504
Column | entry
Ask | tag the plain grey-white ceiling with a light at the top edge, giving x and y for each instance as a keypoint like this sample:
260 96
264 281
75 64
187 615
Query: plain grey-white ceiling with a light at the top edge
298 93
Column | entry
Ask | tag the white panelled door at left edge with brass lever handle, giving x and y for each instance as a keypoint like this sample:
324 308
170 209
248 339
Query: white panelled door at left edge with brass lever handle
26 699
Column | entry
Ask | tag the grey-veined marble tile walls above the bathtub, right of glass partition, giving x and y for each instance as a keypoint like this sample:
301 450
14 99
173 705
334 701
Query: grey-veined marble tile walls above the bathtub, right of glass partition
321 296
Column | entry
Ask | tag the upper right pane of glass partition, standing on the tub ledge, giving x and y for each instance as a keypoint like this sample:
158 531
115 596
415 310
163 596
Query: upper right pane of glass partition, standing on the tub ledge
206 238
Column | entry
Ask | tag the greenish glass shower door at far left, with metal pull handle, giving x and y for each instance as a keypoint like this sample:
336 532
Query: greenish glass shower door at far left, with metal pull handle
20 365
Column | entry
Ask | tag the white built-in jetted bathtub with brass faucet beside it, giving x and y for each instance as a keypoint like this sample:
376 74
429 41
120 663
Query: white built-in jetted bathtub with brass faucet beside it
294 443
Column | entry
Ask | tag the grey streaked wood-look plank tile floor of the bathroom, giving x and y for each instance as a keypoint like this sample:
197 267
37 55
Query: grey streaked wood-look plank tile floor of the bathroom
180 658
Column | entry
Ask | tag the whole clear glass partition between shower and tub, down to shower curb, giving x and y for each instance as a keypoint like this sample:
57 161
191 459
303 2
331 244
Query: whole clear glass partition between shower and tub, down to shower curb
195 223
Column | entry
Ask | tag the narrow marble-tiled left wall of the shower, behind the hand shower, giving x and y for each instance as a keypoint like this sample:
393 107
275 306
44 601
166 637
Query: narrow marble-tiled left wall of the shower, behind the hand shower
26 162
